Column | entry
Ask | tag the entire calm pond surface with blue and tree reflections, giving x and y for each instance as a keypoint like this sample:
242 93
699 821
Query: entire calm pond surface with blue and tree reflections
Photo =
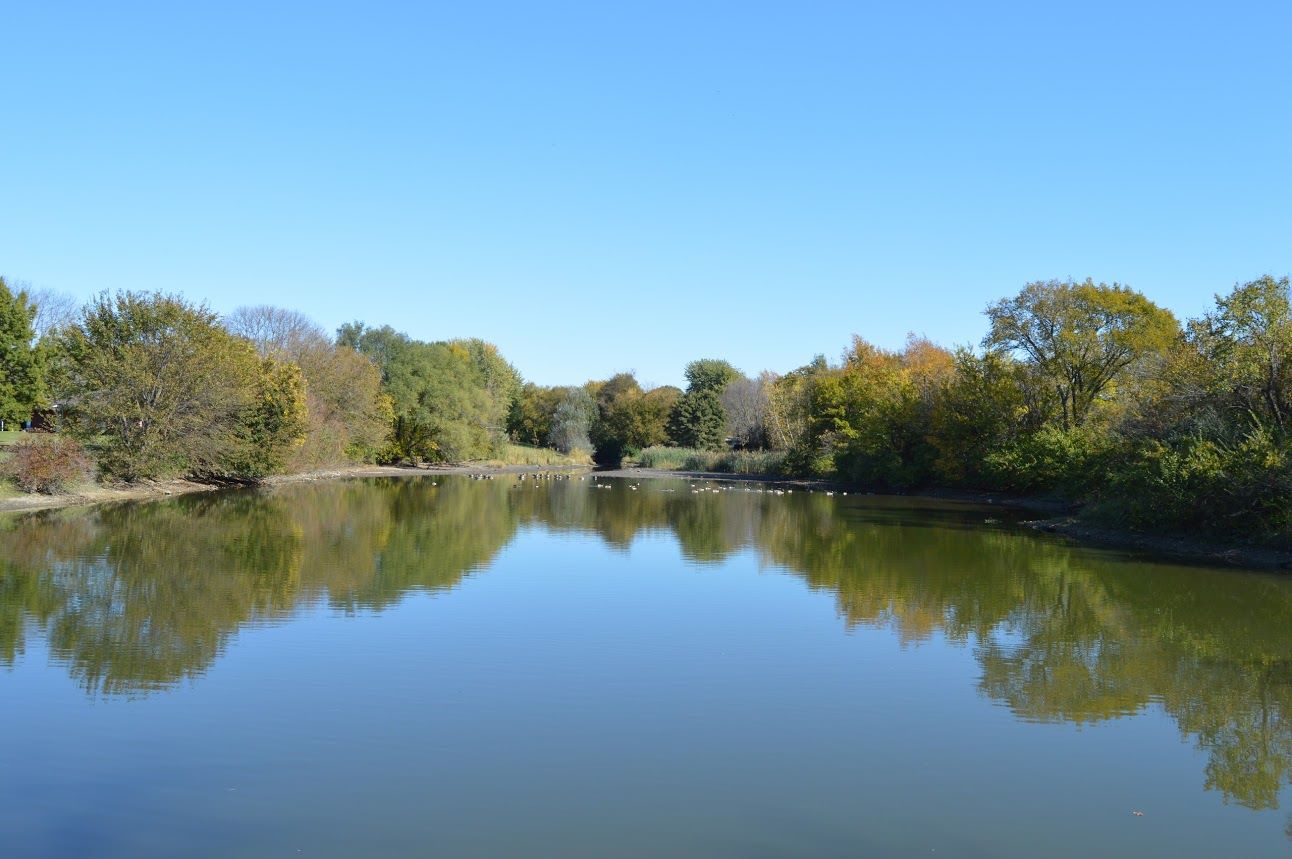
503 668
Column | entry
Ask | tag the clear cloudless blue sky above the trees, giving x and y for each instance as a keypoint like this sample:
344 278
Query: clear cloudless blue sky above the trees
612 187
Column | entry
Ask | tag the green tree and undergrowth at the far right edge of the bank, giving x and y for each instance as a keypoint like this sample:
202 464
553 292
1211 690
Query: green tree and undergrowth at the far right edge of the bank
1209 445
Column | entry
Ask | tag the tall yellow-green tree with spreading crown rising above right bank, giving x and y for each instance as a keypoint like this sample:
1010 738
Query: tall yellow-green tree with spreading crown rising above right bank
1082 336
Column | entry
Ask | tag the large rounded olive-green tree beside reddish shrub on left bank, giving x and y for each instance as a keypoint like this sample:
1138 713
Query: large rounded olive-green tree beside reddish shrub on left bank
161 387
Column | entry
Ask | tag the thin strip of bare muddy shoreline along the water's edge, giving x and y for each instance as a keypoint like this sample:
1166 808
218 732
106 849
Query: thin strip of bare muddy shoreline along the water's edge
1060 520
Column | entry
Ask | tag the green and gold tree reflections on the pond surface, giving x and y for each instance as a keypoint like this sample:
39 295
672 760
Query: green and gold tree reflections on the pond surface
139 597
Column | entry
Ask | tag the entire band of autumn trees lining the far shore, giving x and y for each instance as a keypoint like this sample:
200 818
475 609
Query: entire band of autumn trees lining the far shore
1079 389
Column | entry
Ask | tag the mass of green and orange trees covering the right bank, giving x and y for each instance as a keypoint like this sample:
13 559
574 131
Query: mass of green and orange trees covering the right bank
1086 392
